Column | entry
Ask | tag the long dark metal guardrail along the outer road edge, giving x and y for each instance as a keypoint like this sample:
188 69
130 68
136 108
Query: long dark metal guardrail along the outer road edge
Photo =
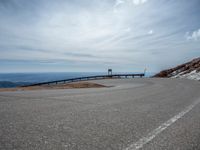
87 78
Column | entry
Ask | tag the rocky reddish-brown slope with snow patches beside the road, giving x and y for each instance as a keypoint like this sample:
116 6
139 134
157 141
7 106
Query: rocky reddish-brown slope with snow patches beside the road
189 70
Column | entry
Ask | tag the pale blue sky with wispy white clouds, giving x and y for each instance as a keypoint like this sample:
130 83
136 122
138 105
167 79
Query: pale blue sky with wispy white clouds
94 35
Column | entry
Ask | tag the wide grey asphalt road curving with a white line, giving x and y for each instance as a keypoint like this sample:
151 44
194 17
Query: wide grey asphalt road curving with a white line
148 114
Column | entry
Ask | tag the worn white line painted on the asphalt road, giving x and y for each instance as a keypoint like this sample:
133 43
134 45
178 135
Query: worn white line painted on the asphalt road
139 144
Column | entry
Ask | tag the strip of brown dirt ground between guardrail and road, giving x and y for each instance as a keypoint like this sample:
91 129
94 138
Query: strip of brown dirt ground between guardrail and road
58 86
